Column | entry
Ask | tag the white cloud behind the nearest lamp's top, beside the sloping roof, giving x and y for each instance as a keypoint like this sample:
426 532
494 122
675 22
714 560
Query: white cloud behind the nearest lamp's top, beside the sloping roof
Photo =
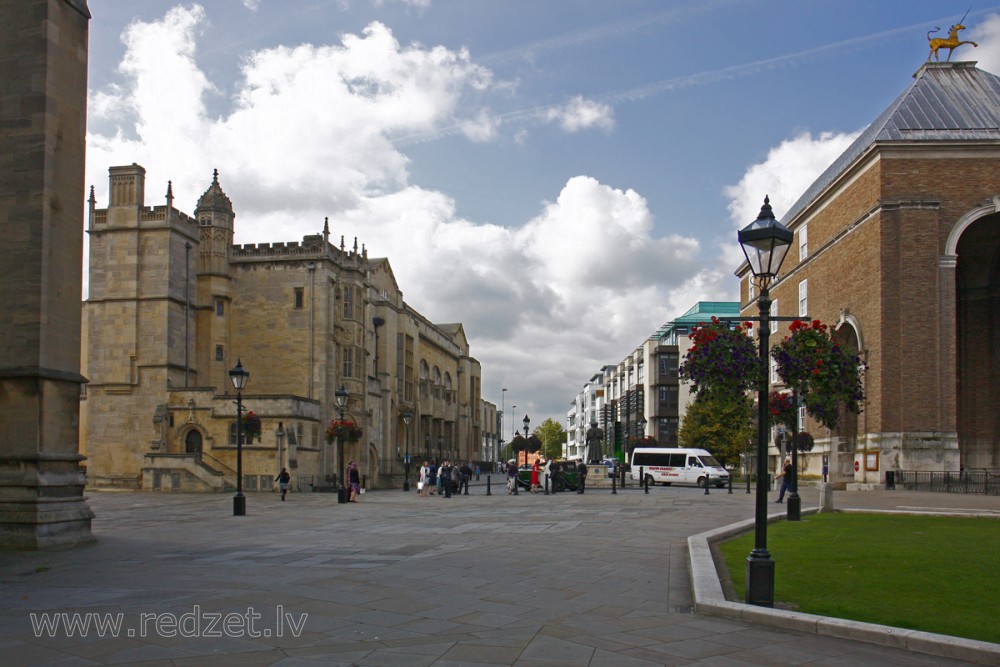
789 169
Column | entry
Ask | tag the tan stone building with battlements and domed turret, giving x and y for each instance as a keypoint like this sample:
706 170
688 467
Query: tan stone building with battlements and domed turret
174 305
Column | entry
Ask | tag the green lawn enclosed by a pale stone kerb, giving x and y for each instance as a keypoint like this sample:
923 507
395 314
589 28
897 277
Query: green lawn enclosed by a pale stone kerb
937 574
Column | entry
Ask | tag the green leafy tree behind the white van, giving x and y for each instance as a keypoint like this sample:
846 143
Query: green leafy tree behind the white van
722 423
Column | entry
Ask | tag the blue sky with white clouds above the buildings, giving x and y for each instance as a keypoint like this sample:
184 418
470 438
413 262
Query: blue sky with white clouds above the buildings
561 177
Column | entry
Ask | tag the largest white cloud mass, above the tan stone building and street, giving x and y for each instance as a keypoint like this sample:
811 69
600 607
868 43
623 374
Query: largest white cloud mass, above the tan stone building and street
311 135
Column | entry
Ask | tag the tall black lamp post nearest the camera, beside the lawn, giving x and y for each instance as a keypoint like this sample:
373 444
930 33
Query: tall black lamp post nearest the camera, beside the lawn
765 242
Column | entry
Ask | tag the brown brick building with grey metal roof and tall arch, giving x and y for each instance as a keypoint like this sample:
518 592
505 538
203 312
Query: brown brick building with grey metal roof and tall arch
897 245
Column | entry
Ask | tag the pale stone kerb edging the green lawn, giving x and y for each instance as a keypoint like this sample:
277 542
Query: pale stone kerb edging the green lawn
710 600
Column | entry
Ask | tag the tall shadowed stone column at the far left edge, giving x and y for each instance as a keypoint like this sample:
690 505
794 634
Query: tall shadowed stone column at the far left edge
43 52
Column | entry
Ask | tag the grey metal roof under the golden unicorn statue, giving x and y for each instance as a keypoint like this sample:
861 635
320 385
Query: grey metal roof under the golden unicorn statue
947 102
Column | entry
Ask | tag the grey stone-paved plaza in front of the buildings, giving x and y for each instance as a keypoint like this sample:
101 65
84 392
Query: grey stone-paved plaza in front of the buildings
396 579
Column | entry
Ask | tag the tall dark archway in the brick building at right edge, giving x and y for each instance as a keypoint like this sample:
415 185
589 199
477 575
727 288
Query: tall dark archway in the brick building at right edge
977 286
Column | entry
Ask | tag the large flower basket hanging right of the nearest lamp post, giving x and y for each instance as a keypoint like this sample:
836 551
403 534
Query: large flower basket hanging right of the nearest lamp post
826 377
